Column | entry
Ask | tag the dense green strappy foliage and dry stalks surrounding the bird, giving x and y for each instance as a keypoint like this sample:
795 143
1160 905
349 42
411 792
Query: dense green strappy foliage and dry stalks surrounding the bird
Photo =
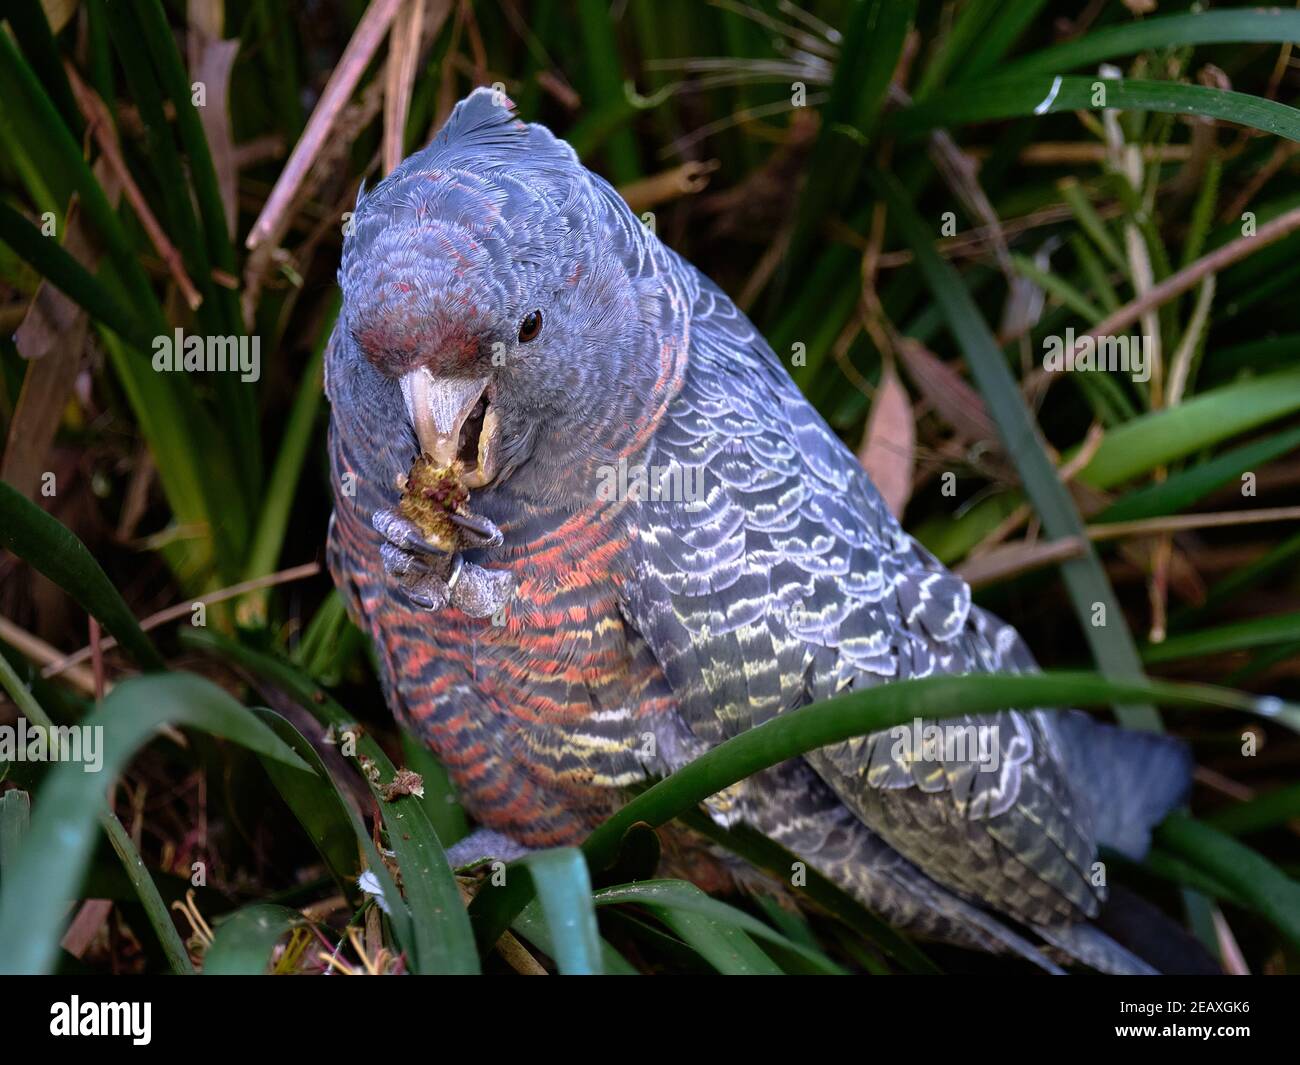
913 201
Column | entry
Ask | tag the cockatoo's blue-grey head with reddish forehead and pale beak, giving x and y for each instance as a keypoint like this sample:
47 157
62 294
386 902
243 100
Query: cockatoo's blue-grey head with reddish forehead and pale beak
495 295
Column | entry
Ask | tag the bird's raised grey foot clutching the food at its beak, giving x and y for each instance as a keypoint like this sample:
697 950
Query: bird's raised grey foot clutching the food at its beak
432 578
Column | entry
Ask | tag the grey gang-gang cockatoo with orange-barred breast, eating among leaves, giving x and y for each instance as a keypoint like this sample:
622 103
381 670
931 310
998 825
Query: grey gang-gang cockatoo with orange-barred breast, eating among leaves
506 314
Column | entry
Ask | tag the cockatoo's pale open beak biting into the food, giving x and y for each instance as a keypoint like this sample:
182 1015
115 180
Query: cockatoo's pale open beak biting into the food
454 422
